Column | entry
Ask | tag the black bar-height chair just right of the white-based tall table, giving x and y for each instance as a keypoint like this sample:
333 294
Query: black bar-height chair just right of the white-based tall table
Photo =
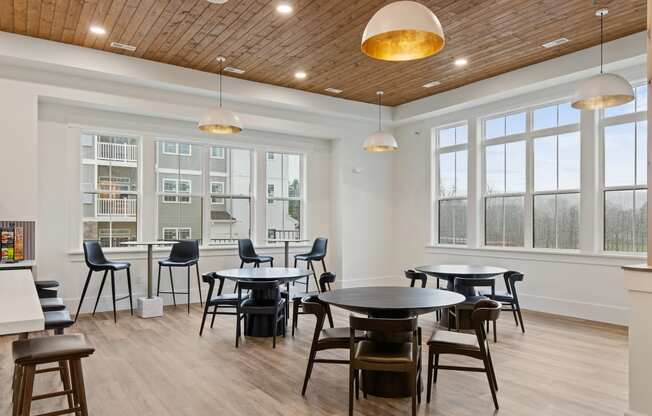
184 253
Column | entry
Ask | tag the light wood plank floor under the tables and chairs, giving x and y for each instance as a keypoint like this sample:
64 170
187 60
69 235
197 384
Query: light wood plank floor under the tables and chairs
162 367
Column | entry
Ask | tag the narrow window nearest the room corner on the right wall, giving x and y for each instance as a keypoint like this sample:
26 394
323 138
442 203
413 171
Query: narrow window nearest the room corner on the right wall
451 157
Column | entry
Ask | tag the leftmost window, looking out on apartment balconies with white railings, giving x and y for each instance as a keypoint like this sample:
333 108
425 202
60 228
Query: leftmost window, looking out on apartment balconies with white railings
110 190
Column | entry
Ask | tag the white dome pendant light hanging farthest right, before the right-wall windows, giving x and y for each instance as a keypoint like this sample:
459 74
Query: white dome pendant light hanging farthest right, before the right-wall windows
602 90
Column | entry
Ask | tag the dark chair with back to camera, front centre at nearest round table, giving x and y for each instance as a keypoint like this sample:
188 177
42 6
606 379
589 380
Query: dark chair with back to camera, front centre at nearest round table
402 357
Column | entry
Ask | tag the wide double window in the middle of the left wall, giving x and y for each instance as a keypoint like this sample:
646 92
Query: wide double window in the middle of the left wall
191 176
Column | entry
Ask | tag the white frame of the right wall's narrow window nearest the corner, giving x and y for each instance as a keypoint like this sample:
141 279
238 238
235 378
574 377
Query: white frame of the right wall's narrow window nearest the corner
437 198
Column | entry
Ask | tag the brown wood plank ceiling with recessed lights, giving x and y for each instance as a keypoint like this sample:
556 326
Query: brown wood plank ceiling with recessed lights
322 37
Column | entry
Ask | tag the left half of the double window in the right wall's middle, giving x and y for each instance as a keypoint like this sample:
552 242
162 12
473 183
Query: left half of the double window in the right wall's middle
504 179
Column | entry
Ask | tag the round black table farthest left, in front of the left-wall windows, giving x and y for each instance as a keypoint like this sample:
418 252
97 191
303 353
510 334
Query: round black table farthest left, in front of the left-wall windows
262 325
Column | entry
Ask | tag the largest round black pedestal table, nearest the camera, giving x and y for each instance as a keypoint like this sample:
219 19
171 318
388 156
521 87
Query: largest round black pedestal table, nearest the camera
390 302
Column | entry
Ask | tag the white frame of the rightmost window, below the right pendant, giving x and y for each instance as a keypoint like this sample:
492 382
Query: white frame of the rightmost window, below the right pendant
603 122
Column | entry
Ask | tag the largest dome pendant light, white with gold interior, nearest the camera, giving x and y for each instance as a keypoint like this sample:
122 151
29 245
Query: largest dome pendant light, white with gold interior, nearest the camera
403 31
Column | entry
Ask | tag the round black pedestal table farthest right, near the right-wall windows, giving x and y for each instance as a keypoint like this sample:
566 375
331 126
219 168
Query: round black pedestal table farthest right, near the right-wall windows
450 272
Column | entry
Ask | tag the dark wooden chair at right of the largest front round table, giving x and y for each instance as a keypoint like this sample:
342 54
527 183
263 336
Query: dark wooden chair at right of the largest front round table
470 345
